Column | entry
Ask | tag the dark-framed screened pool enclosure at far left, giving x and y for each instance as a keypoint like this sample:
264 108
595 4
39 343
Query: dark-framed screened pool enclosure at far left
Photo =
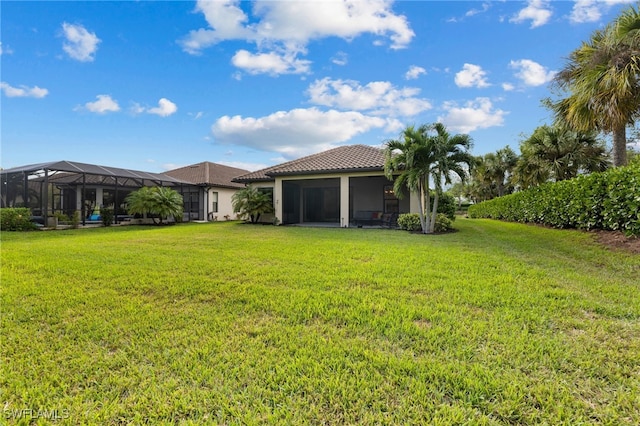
66 187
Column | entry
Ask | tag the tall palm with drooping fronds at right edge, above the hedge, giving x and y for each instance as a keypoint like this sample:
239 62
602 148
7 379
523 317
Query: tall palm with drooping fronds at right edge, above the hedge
602 78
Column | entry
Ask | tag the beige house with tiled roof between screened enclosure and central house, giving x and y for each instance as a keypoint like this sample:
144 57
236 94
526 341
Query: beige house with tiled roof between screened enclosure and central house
213 200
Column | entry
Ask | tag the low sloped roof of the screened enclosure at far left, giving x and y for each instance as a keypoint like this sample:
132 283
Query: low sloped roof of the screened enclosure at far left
91 169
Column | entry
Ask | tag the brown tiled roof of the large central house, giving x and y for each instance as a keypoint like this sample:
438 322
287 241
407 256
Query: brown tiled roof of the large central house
344 159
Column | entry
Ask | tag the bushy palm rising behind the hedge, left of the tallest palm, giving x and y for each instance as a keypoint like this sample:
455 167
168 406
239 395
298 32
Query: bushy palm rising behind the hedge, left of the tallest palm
558 153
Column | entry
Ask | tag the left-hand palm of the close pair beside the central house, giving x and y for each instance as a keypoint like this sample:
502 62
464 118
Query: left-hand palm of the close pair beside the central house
408 161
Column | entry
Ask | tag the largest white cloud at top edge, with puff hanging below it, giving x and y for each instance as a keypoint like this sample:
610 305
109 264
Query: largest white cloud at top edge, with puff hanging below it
287 27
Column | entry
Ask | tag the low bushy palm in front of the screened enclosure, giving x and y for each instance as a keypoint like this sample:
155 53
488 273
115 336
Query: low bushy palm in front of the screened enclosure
158 201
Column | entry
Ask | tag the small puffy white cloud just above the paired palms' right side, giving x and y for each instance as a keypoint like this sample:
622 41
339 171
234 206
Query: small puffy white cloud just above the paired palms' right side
474 115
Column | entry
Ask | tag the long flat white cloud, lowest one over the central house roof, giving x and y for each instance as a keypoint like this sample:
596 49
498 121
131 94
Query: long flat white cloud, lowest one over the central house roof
299 131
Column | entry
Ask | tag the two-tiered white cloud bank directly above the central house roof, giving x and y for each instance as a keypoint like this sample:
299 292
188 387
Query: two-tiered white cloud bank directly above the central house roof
353 109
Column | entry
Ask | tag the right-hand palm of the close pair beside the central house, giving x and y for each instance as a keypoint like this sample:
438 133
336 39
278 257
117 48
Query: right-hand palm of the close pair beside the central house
451 157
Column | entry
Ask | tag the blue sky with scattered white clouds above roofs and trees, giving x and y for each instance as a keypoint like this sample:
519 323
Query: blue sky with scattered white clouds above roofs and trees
158 85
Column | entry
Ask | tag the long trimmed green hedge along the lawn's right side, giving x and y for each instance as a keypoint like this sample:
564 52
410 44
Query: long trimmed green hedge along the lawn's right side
608 200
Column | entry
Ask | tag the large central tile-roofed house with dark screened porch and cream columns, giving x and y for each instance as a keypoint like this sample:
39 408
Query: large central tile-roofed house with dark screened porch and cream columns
344 186
